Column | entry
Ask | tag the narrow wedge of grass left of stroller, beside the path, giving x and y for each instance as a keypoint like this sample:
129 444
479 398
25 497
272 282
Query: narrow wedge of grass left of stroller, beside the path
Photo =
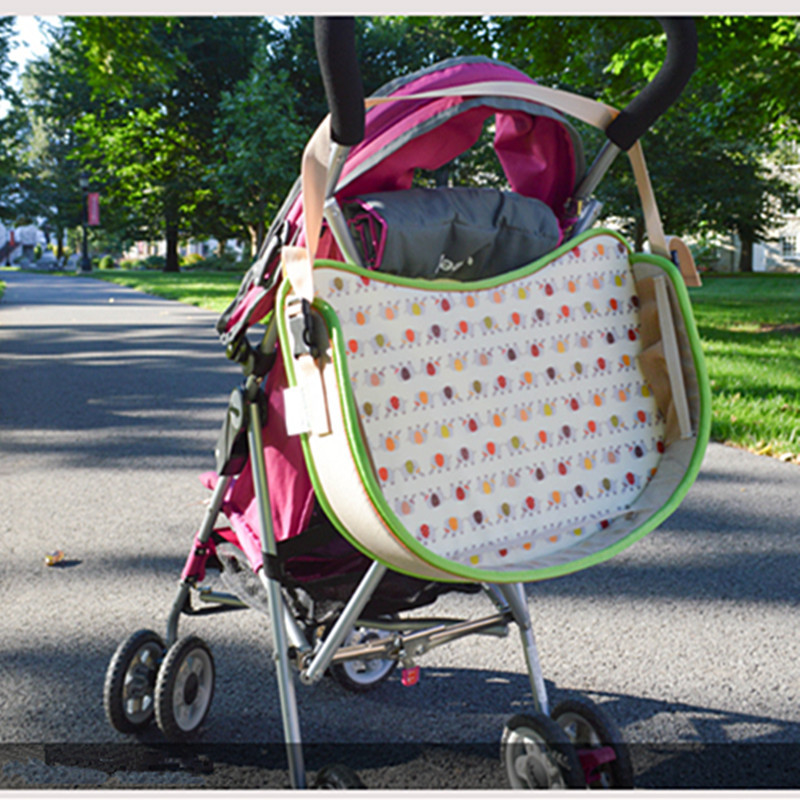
211 290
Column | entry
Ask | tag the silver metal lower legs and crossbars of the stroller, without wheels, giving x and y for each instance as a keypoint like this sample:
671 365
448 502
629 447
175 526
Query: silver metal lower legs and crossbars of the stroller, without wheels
292 649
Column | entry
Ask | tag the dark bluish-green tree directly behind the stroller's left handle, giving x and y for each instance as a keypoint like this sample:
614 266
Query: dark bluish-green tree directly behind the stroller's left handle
265 122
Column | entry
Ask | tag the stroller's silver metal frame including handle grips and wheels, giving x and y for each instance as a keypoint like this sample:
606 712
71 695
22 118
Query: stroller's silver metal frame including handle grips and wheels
141 681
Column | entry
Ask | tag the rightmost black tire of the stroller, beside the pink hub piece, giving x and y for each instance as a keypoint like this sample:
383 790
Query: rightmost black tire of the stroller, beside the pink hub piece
588 726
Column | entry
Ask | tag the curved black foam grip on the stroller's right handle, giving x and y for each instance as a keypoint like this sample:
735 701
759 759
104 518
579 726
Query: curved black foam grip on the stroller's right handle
635 119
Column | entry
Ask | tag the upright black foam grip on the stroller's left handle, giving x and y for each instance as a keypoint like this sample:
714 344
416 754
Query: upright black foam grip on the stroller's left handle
335 39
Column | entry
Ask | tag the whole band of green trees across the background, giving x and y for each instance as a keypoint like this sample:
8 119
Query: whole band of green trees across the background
193 126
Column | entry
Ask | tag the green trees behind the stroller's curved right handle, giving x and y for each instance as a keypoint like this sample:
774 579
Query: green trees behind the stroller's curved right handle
708 154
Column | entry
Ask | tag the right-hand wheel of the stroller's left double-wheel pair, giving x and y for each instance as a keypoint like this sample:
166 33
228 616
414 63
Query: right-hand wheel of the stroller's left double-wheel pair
184 688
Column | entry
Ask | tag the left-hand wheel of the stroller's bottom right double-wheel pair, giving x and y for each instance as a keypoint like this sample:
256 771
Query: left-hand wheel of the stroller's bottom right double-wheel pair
536 754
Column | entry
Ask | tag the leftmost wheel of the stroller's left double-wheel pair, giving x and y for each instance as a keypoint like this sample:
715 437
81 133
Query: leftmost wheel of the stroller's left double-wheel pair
129 686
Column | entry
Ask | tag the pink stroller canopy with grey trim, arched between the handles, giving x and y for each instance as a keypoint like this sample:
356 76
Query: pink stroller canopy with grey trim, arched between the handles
540 152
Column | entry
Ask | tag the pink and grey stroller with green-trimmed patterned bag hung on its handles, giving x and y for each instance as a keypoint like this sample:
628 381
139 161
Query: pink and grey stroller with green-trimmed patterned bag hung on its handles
470 389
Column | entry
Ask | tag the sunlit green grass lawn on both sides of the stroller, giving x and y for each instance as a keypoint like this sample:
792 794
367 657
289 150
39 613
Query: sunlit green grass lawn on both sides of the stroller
749 324
